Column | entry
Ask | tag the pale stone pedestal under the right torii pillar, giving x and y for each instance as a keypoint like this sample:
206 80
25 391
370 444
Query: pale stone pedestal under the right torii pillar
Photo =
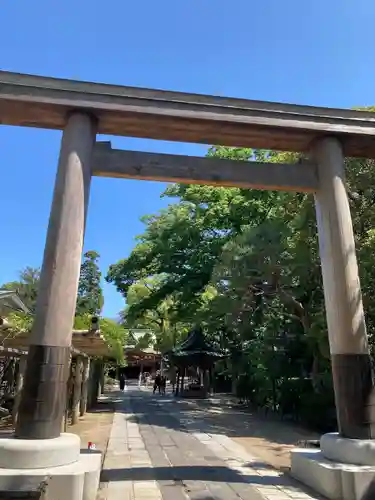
343 469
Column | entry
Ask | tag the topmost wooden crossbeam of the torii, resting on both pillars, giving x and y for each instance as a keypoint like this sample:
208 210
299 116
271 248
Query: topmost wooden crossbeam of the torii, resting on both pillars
43 102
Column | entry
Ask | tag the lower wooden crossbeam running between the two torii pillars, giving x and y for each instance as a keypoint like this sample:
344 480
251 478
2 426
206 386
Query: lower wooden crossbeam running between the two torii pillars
109 162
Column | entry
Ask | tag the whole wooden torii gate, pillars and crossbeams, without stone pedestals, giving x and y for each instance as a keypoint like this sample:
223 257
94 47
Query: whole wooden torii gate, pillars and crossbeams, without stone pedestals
83 110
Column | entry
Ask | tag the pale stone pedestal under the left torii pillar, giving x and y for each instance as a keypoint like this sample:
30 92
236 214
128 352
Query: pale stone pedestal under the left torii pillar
73 474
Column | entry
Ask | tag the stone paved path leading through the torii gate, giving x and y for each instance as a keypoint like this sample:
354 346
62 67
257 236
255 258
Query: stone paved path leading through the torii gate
155 452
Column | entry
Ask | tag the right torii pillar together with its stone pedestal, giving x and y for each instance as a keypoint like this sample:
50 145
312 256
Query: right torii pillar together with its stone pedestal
343 466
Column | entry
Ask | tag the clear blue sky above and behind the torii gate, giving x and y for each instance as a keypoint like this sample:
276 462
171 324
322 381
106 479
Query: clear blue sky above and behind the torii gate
315 52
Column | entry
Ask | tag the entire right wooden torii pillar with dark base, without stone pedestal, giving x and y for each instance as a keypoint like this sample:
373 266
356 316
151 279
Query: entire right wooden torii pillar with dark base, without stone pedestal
351 364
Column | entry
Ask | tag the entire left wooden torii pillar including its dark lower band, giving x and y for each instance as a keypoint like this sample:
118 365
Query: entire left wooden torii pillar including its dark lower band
43 396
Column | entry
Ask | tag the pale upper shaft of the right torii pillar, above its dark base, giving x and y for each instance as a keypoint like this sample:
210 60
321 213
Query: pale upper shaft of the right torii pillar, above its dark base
342 291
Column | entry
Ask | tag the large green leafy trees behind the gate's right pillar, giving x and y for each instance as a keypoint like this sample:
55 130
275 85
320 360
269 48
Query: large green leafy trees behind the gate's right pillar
245 264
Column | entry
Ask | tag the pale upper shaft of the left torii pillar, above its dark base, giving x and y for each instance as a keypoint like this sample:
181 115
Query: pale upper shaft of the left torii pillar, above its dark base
58 287
